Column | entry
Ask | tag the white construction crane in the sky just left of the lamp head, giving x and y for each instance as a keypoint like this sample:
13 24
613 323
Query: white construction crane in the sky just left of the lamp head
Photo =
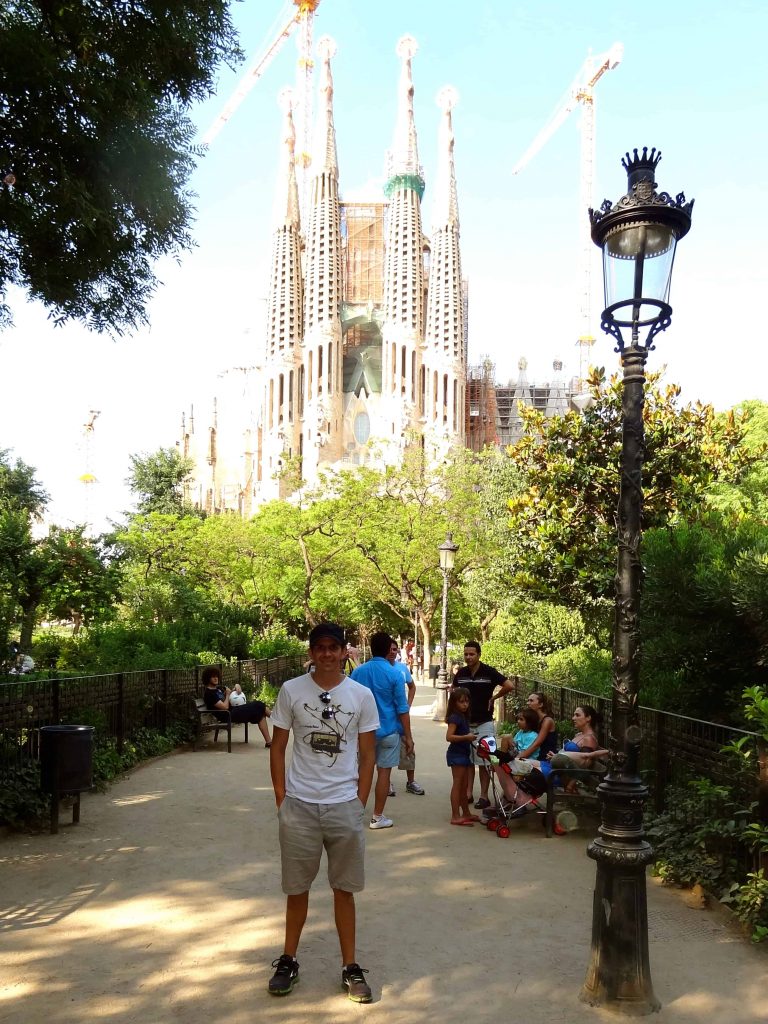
581 92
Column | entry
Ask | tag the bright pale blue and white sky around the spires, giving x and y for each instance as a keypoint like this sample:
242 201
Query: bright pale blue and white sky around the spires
693 82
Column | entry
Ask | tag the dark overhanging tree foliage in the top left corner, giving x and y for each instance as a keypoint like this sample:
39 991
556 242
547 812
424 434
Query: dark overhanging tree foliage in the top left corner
97 149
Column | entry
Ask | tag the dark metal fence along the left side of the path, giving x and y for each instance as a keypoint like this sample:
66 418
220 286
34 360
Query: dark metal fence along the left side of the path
118 704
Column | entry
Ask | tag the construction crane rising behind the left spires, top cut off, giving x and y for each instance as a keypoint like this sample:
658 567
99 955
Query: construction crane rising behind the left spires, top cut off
302 19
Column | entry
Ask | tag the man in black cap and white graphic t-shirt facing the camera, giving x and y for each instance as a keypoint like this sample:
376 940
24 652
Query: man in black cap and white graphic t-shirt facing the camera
322 798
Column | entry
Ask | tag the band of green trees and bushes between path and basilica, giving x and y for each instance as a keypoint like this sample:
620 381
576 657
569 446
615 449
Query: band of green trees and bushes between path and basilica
534 574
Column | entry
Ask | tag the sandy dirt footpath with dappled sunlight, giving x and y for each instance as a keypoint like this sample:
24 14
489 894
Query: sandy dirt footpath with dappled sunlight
164 906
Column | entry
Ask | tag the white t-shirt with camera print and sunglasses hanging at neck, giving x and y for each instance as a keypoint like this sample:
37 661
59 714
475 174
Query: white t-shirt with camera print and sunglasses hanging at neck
324 766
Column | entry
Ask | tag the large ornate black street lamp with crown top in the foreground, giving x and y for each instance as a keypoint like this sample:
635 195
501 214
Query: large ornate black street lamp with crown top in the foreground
638 236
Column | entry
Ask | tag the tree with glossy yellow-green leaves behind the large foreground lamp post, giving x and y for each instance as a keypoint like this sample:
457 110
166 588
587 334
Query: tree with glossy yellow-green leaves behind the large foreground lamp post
564 523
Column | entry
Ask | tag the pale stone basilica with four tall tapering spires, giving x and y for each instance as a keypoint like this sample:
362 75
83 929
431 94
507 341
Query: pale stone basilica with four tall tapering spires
366 336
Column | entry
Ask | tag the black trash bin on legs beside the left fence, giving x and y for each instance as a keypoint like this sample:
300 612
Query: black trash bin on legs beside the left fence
66 765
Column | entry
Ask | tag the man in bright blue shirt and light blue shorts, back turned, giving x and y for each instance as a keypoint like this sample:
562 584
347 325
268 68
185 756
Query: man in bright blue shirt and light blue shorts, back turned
387 685
